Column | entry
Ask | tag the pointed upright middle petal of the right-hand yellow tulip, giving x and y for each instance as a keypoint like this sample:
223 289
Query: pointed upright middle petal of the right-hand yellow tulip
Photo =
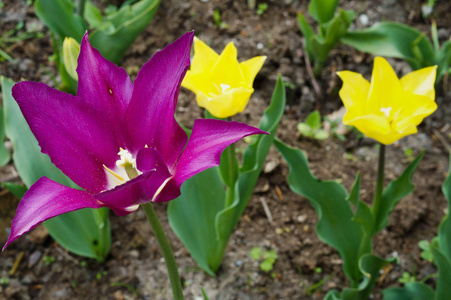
385 90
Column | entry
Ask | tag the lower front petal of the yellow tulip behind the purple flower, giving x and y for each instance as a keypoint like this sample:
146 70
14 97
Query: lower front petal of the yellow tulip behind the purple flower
227 104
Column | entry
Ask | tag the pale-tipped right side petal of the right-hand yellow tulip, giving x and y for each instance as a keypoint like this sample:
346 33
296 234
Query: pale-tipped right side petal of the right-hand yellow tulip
421 82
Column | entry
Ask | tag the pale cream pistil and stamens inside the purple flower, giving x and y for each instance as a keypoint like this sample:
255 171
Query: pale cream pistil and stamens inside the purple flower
124 171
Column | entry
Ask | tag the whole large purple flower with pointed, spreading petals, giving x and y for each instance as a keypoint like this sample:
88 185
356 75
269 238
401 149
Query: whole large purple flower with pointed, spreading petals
117 139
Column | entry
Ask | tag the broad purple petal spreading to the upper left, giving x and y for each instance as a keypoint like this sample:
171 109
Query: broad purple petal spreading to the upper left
77 137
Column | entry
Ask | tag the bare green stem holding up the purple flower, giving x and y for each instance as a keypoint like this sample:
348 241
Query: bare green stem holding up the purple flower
165 247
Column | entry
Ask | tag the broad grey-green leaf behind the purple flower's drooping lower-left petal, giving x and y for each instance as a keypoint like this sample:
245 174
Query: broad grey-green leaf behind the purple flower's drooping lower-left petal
77 231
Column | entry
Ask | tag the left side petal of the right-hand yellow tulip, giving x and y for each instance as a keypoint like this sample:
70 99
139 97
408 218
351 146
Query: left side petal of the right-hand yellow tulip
354 92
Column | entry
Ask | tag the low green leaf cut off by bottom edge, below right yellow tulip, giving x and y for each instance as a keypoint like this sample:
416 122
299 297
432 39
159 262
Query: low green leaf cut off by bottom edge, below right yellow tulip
411 291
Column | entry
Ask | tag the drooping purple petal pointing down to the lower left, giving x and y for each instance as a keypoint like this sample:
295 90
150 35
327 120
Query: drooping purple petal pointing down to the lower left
44 200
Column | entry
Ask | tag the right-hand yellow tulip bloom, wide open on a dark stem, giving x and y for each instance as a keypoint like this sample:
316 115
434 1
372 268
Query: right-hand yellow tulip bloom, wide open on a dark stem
388 108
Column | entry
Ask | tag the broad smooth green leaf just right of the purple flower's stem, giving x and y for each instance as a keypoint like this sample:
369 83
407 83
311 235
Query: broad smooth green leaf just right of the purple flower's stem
192 217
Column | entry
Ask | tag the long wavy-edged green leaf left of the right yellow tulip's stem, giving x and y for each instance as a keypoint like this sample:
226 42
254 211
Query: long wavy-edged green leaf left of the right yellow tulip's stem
336 226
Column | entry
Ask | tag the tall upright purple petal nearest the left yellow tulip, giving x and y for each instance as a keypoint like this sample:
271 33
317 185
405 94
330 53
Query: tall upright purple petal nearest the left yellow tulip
150 116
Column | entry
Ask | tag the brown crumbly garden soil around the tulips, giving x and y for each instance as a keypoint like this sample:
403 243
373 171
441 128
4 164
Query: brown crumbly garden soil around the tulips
135 268
